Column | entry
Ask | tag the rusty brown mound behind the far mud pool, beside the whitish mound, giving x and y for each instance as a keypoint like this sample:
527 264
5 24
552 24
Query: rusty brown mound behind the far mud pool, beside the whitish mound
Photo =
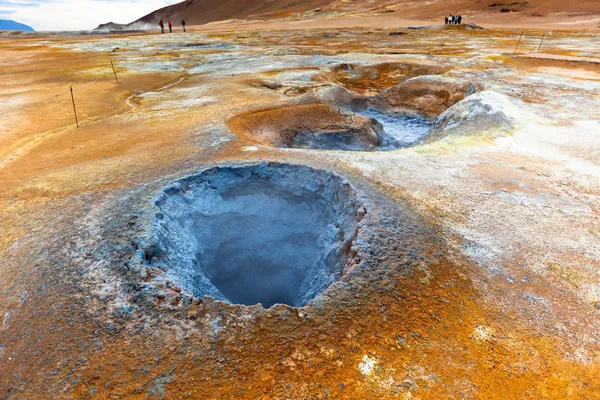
428 95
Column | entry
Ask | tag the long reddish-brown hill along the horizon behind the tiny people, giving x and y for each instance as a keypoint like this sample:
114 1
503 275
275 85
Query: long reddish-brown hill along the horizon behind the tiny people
196 12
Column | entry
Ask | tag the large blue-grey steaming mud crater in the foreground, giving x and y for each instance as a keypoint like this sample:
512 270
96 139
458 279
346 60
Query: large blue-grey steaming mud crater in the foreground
263 233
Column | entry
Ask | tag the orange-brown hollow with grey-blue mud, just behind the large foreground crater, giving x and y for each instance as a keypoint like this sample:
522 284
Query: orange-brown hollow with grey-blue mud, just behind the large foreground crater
311 126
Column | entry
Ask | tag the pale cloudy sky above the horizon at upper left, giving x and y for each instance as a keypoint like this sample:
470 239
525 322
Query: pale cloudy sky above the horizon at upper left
53 15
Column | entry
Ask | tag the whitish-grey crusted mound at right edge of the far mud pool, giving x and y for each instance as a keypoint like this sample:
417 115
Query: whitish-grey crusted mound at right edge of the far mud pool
484 113
